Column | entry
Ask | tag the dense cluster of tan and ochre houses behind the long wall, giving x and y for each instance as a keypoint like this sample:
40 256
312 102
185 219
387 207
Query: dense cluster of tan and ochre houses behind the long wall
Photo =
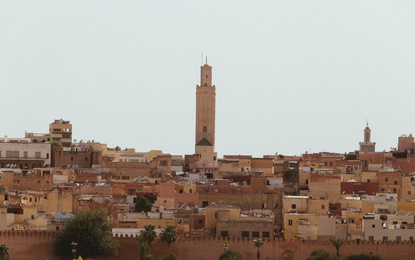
361 195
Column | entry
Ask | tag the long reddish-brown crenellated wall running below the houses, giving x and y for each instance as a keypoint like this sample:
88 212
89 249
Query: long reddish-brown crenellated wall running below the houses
38 245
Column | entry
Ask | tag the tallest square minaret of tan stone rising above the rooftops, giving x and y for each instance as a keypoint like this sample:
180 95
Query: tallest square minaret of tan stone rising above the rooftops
205 115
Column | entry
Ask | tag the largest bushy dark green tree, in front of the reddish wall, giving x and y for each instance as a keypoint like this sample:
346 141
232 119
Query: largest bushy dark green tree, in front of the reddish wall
92 232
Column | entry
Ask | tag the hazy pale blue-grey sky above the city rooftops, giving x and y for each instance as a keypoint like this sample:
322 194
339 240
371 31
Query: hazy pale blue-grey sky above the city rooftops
290 76
